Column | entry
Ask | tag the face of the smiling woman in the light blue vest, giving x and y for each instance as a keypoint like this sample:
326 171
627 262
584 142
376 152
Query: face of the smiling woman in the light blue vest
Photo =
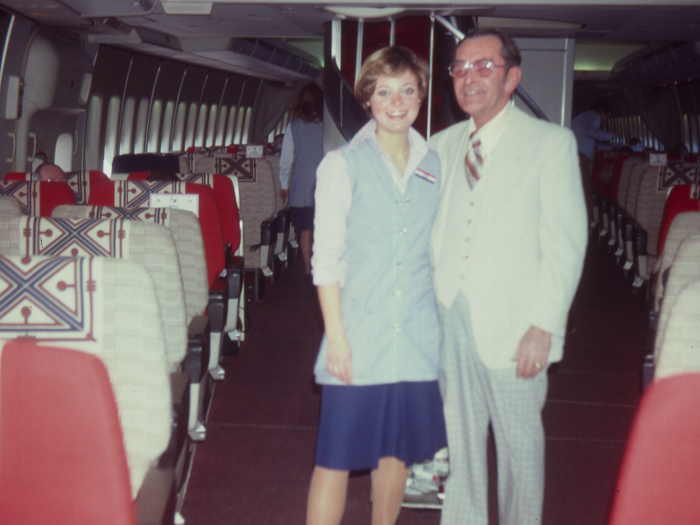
395 102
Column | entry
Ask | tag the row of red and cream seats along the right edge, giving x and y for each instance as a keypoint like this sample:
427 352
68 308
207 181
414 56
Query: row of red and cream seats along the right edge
659 206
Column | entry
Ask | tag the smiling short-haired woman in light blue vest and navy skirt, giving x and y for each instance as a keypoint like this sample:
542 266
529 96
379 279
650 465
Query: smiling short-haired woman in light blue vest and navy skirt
376 199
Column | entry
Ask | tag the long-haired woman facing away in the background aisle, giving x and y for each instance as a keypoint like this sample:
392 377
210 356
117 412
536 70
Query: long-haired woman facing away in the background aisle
302 151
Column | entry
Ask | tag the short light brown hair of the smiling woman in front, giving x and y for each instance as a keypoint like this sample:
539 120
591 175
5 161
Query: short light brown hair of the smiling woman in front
390 61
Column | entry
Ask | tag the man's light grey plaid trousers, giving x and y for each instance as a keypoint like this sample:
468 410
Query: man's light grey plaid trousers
475 396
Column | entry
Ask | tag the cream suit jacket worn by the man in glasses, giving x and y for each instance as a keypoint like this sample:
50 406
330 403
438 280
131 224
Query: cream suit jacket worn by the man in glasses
528 239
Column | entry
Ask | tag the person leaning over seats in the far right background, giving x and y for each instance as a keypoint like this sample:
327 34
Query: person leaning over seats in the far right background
586 128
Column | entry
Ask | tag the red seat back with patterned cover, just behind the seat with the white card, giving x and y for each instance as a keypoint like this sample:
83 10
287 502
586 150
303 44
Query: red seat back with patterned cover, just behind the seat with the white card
135 194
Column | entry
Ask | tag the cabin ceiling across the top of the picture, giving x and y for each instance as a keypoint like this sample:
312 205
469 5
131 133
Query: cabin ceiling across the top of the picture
205 38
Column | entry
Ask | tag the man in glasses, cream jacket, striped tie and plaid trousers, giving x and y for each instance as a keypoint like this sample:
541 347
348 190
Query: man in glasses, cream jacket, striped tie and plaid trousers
507 246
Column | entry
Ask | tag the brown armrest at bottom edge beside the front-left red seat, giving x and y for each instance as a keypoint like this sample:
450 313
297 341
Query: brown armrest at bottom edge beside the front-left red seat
155 502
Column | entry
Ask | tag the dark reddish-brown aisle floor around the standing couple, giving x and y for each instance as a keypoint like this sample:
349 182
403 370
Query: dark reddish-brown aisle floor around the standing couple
256 463
